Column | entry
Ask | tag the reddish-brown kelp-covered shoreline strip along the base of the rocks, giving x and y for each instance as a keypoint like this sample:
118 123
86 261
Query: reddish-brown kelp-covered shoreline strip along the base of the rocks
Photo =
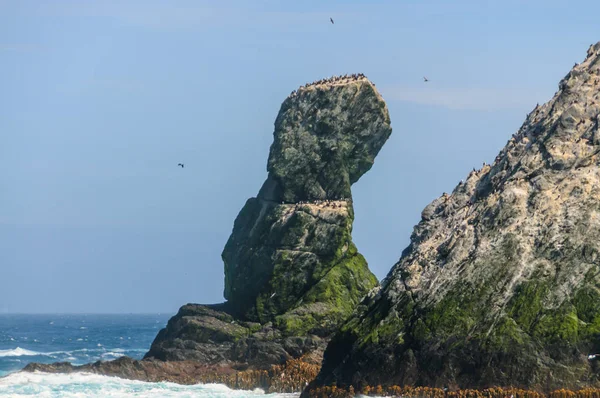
292 377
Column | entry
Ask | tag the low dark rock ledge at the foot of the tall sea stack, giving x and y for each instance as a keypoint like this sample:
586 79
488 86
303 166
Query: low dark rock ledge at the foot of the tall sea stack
213 337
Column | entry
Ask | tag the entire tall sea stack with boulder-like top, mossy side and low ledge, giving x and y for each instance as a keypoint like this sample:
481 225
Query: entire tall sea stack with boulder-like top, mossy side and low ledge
292 273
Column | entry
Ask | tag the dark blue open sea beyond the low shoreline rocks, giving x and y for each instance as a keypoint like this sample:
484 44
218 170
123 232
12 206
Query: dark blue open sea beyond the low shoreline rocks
77 339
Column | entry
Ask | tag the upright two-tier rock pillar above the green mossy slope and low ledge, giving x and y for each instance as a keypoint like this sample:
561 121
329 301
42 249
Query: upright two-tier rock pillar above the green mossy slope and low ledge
298 228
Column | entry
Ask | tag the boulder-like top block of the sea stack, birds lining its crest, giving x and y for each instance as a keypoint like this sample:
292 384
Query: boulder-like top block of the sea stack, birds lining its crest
326 137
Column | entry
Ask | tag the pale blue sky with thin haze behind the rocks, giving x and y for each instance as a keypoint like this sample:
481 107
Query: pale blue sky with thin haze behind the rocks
99 101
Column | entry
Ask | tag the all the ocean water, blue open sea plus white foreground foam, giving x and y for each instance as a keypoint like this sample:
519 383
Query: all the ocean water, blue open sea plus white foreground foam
83 339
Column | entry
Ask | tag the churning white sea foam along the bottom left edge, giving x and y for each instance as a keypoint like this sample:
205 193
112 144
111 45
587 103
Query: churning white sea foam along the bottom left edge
90 385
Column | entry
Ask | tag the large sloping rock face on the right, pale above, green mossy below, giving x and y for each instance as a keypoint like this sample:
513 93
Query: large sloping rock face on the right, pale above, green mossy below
500 285
